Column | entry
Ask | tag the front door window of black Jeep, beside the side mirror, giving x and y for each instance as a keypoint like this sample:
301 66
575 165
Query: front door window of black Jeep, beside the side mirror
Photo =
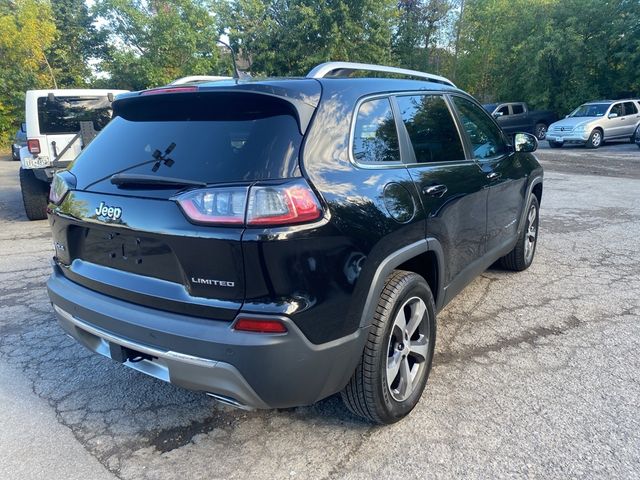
486 137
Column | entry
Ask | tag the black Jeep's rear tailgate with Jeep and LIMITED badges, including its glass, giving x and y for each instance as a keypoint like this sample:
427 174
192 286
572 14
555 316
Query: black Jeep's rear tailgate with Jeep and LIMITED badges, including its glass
133 241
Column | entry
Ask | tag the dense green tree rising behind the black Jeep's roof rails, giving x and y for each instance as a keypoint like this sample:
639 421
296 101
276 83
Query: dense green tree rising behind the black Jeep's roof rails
289 37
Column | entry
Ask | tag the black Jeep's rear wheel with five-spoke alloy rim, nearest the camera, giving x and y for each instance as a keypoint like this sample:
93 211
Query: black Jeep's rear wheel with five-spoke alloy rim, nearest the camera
369 393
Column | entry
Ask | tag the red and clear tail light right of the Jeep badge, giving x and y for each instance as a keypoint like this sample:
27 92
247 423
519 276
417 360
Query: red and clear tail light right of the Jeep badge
259 205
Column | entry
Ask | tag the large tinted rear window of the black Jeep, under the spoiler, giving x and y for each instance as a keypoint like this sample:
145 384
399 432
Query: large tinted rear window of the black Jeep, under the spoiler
212 138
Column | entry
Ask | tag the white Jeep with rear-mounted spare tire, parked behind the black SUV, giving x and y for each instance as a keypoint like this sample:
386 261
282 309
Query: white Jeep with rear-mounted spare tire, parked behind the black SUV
59 123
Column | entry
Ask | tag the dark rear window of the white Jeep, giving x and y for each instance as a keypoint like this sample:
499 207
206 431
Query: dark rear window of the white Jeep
64 114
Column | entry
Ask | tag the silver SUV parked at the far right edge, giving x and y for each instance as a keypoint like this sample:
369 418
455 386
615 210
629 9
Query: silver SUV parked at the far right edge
593 123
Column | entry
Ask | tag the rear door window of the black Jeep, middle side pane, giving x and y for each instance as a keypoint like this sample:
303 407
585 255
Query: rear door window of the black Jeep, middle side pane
431 129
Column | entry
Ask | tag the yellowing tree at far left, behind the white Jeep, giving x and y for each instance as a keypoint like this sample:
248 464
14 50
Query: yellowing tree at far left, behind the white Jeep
26 32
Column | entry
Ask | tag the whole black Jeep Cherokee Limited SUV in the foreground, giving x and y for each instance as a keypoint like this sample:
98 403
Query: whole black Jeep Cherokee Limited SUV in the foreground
274 242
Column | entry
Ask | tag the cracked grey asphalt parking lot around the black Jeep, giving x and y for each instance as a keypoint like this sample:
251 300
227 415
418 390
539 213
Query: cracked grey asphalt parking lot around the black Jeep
536 374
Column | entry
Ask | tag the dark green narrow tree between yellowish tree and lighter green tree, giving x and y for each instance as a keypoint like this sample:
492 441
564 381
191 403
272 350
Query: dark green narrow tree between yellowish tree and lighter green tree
76 43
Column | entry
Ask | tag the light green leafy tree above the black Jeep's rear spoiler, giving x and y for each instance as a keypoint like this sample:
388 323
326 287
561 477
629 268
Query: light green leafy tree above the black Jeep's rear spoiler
152 42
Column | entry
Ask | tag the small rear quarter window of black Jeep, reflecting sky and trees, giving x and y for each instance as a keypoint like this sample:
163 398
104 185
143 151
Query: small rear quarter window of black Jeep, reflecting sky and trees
375 138
